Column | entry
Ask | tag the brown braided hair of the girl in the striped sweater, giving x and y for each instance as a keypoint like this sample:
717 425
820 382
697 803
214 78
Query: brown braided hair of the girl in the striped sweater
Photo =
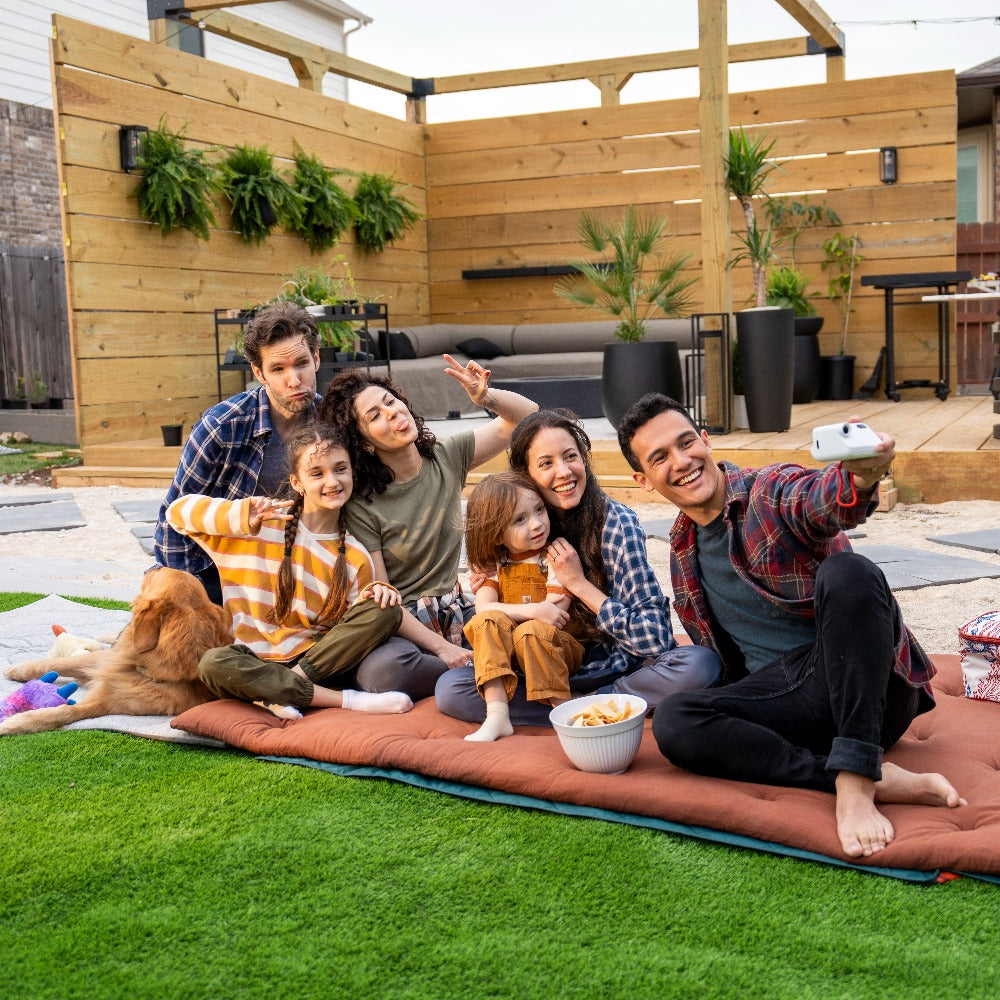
313 440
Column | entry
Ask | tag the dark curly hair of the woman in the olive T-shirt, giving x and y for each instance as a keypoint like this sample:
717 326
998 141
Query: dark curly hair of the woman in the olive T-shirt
371 475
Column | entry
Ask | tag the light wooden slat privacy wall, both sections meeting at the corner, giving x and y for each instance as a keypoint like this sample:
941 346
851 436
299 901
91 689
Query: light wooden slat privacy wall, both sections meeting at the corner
496 193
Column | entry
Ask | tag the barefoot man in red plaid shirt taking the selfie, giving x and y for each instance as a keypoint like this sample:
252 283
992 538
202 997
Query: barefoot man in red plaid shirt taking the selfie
821 674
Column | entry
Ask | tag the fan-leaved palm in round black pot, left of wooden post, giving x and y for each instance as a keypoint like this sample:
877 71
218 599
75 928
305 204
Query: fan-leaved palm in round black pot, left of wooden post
638 282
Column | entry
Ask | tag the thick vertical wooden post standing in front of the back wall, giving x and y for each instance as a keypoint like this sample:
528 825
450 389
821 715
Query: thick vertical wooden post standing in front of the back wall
713 120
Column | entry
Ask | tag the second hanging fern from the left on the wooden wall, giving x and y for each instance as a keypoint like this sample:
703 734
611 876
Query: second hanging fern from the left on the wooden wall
258 195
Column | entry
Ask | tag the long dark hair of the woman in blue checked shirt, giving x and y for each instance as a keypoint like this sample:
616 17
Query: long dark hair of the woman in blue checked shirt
583 526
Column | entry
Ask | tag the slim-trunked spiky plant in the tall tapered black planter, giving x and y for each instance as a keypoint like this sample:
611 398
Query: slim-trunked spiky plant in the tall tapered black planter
765 334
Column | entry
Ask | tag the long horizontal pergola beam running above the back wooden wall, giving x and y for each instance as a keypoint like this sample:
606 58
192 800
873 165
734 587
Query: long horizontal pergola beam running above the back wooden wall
596 69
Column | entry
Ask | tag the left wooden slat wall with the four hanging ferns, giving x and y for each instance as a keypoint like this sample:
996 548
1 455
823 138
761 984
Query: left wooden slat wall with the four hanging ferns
141 306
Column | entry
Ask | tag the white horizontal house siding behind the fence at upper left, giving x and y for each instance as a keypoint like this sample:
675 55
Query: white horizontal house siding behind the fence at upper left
26 28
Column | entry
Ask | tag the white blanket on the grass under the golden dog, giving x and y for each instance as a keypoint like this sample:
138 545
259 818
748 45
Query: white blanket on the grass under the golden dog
26 634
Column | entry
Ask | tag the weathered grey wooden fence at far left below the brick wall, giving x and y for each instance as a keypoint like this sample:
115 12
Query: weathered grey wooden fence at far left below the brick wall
34 330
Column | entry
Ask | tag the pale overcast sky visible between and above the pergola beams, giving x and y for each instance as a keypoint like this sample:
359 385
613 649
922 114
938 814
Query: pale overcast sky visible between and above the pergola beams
445 37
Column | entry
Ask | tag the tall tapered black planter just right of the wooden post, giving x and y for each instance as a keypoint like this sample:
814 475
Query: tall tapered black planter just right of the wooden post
766 339
